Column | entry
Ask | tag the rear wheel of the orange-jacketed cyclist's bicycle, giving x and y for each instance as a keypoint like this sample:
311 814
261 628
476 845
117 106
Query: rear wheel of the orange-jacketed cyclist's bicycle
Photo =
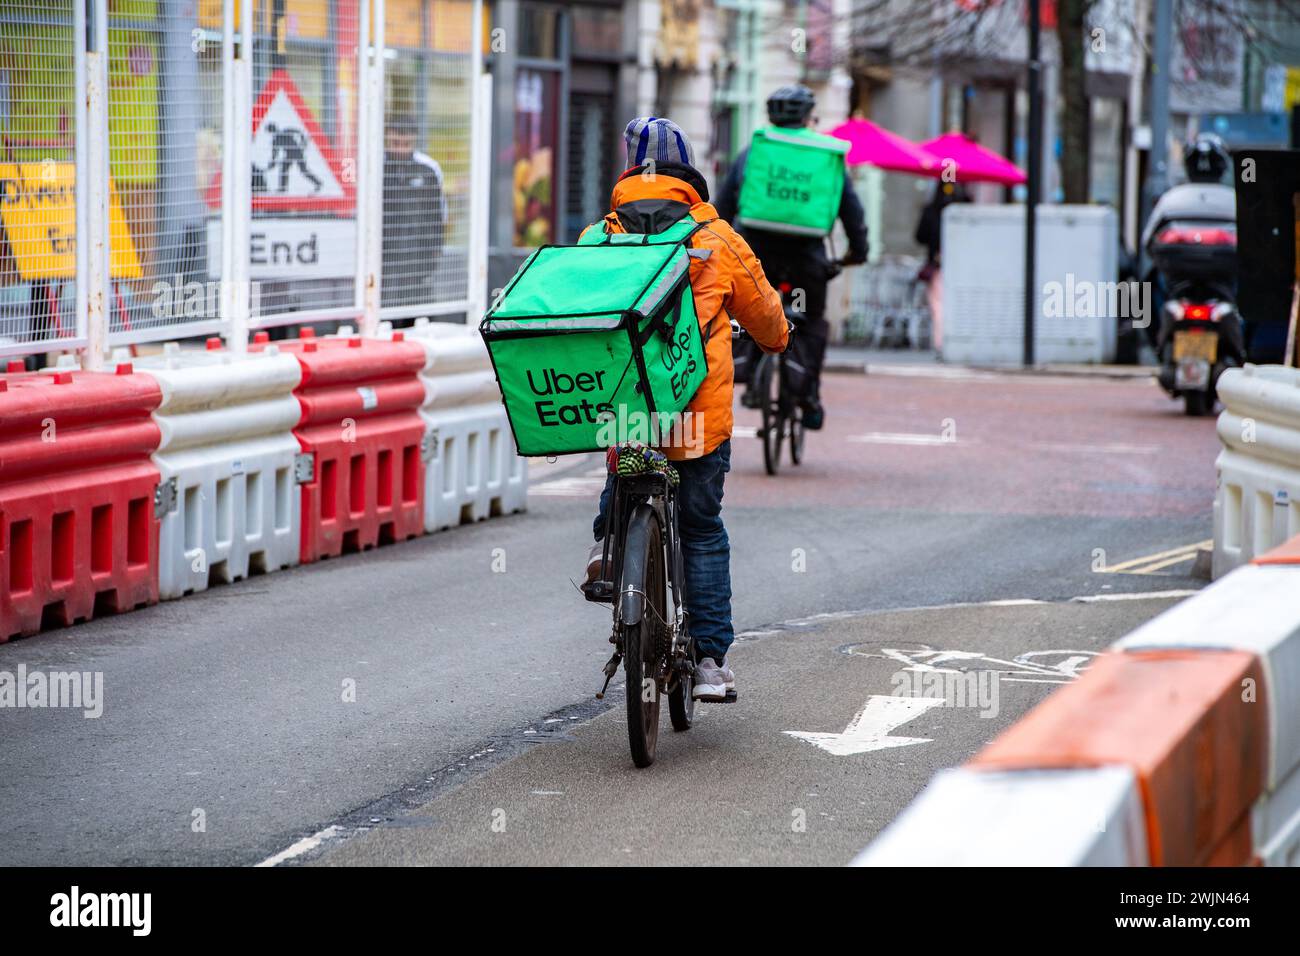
643 651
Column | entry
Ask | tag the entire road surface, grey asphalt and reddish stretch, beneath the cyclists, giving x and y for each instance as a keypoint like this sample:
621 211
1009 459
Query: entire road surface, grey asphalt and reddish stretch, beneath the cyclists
397 700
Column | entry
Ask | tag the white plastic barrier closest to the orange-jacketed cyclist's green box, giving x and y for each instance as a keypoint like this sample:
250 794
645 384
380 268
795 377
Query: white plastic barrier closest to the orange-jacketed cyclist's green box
474 470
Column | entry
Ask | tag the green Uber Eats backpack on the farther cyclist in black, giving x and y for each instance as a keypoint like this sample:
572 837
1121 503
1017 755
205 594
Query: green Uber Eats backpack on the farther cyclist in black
794 181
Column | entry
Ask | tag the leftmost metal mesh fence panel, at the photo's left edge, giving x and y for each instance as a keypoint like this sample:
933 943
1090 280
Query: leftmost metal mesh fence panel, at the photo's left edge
38 174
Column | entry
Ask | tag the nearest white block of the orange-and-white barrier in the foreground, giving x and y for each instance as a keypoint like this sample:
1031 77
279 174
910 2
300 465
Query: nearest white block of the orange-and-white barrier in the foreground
1019 819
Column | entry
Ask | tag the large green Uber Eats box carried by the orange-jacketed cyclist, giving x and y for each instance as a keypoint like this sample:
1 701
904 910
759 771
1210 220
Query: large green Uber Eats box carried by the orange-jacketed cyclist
596 338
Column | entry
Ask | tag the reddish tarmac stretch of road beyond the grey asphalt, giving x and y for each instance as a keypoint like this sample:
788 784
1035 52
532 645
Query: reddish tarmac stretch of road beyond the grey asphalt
1022 444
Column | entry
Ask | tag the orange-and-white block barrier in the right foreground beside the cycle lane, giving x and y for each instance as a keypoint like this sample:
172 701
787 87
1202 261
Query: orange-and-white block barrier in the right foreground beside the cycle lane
1195 720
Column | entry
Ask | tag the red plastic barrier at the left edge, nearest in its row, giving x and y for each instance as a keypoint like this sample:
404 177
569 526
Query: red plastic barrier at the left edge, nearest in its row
79 531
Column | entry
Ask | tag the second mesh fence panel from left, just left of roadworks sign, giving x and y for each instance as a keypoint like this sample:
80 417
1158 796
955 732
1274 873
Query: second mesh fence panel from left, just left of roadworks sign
164 141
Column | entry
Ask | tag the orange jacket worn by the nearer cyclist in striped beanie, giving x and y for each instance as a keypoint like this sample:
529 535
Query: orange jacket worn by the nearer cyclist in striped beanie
727 280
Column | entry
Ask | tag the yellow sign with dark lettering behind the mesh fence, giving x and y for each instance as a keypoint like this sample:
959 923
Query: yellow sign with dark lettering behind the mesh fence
38 209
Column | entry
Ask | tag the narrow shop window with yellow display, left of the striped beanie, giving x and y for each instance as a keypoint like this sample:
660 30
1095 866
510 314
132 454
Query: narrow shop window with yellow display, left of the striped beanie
536 135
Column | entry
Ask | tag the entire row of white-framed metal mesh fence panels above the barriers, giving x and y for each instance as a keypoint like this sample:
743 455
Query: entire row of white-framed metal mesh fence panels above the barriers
166 114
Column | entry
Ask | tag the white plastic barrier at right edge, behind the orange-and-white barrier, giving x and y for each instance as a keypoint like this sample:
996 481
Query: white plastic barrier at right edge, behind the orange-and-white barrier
1258 501
